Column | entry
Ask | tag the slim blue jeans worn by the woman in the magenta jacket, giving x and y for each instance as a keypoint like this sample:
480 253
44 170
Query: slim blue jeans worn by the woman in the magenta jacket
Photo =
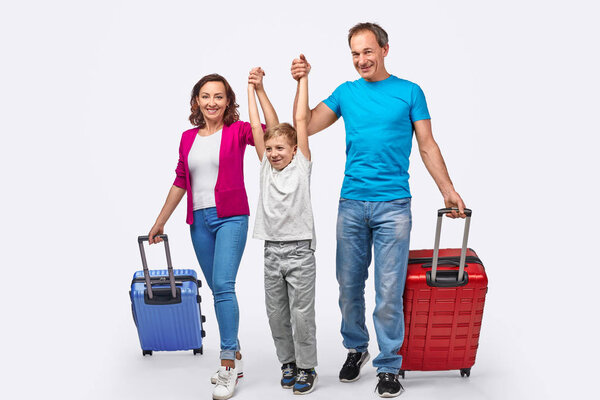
219 244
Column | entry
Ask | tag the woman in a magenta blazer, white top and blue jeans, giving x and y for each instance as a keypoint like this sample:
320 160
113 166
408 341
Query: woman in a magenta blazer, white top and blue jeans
210 172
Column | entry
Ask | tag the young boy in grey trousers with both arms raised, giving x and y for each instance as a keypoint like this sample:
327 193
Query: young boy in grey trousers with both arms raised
284 219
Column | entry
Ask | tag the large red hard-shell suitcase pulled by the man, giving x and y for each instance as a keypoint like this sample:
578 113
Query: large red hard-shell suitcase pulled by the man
443 306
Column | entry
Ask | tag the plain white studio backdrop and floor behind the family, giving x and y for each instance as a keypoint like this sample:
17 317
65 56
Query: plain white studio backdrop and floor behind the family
94 96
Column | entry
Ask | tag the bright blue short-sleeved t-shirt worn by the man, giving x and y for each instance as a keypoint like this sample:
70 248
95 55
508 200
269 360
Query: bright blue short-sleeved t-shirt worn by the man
379 120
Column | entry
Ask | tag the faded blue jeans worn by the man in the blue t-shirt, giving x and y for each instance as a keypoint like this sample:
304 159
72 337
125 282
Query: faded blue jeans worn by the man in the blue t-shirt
385 226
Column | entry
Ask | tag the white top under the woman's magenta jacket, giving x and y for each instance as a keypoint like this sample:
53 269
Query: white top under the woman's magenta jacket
203 161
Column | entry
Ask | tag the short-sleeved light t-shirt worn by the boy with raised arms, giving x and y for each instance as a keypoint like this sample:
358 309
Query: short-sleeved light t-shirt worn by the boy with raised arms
284 209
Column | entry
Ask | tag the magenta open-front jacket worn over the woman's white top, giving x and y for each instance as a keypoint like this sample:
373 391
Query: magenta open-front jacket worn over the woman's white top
230 193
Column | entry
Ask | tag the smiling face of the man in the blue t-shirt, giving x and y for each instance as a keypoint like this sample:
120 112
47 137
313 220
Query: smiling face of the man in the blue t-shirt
368 57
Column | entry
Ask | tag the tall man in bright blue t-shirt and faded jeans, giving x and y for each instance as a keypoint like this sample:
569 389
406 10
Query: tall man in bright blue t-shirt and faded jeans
380 113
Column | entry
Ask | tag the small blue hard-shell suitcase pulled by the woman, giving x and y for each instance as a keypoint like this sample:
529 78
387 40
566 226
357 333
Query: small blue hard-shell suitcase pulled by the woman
166 306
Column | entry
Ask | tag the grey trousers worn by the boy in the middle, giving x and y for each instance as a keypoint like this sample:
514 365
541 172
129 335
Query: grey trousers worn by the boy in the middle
290 300
